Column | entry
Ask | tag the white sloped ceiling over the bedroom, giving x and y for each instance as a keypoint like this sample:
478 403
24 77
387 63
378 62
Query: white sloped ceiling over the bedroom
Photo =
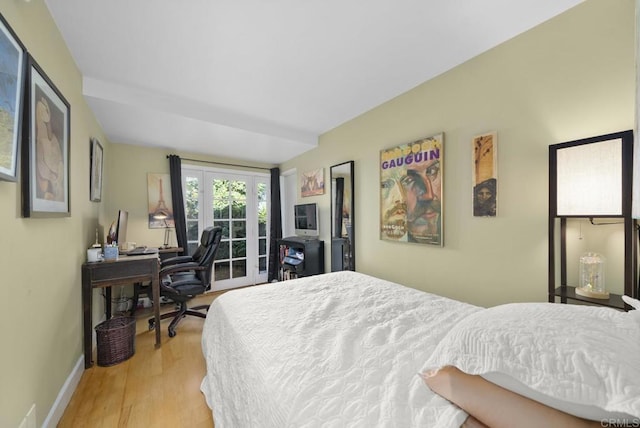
261 80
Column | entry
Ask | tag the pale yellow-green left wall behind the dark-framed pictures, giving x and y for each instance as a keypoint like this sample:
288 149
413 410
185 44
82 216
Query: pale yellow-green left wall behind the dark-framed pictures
40 259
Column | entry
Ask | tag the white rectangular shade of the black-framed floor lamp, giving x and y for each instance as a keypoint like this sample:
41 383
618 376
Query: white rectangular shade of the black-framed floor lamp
589 179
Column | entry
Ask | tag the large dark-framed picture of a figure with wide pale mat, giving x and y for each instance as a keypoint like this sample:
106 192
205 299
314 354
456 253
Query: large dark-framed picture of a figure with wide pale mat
45 149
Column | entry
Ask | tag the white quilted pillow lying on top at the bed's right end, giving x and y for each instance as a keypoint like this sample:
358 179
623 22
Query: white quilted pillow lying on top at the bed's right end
582 360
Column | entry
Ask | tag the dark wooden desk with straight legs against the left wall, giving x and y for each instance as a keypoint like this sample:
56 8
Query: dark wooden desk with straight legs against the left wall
125 270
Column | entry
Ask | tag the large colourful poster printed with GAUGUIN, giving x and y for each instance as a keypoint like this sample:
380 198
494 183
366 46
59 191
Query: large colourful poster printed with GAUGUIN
411 192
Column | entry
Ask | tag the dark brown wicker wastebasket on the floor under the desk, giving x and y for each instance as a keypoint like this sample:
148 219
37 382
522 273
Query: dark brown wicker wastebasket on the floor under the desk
116 339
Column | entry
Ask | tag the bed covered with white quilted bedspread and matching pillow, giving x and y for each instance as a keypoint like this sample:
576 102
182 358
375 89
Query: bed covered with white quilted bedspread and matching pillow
346 349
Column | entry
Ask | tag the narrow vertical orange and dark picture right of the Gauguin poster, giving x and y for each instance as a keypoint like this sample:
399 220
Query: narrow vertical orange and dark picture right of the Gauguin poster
485 174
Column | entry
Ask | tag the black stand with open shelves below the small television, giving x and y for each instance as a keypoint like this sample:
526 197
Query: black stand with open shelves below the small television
300 256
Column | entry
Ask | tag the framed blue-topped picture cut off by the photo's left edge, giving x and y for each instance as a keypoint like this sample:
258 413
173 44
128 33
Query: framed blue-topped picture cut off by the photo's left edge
12 71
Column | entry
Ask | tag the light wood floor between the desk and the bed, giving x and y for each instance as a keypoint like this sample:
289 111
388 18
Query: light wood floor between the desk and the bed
154 388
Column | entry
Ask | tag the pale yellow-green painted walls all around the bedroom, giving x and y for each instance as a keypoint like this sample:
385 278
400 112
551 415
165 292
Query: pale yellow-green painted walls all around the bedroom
570 78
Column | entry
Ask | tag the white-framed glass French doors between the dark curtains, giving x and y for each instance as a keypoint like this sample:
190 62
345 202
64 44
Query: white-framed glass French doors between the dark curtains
239 204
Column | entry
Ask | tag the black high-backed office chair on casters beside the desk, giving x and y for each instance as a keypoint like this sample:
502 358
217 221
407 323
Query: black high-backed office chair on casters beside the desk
183 277
